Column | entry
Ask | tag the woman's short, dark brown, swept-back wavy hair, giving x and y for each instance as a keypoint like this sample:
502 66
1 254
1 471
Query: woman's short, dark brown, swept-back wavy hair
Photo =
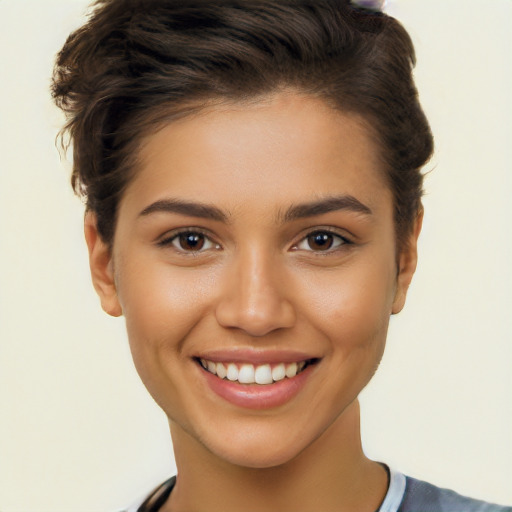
139 62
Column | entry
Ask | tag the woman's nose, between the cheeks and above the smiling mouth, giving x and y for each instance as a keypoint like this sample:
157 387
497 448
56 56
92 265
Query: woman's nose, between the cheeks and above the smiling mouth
253 296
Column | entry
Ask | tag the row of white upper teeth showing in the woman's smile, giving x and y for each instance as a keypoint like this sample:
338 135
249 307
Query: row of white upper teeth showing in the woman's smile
249 374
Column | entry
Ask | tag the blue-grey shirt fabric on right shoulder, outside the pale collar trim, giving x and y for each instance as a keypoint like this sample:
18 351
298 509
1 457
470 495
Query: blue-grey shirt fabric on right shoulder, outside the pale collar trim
421 496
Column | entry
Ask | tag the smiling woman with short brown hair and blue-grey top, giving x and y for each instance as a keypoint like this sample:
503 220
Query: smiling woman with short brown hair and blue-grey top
253 187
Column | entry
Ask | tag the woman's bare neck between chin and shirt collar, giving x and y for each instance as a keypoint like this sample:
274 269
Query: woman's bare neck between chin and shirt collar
331 474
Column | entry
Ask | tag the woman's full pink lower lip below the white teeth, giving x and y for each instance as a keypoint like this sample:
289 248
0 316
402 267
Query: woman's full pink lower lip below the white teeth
256 396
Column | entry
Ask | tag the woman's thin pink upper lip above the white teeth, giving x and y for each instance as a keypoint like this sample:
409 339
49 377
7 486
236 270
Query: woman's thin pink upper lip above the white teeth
254 356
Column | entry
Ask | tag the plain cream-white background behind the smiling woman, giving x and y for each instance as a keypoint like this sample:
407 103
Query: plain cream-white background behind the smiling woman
78 432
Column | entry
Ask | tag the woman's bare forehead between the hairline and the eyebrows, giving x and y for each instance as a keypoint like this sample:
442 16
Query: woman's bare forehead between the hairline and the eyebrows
283 149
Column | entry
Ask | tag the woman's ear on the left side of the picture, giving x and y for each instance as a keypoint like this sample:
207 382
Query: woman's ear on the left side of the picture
102 269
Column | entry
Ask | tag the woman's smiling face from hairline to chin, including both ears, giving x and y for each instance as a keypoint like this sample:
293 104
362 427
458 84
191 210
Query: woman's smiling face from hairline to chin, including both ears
254 261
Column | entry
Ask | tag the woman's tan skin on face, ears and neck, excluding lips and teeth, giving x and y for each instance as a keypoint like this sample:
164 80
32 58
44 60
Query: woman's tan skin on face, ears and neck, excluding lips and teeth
259 283
